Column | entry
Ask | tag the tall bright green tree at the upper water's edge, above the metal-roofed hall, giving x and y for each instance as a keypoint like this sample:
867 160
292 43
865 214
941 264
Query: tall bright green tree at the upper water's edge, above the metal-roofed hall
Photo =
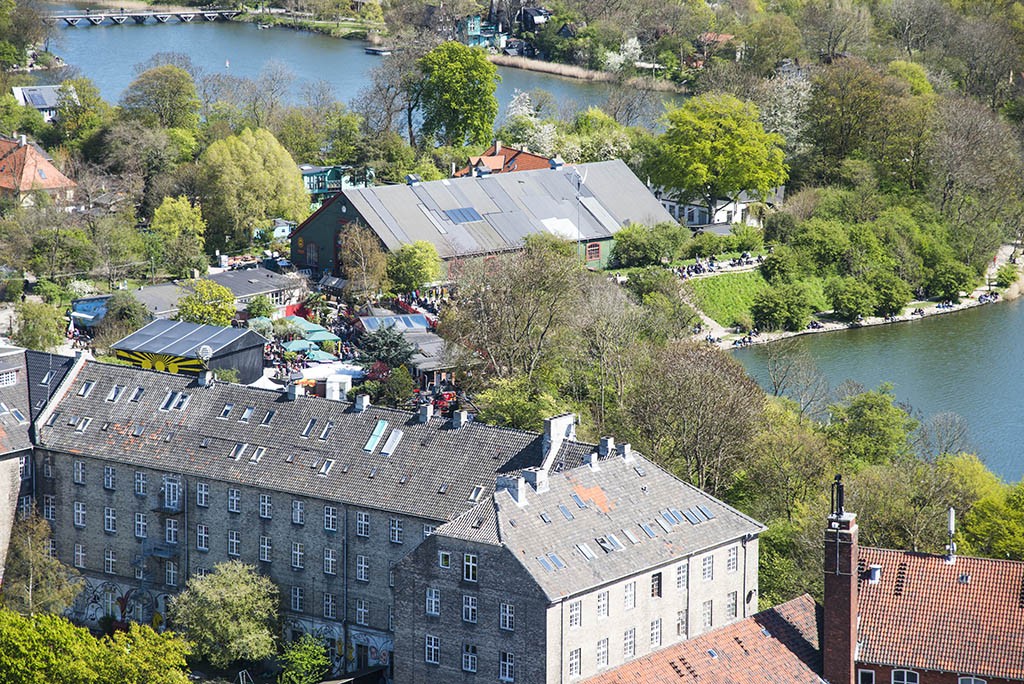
458 95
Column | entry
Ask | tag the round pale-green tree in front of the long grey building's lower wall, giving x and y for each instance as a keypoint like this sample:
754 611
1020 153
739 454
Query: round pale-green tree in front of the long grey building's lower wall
230 615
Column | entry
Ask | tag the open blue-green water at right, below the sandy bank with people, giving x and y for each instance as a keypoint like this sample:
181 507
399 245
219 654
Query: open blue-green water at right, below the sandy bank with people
968 363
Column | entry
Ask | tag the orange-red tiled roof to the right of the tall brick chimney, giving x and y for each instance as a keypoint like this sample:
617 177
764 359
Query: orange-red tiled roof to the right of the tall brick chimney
965 618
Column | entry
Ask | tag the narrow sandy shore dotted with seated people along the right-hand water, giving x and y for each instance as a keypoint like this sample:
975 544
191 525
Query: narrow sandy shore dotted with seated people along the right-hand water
728 337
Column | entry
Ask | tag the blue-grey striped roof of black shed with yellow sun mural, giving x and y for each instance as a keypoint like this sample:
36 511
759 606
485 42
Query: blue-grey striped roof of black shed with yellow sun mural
179 338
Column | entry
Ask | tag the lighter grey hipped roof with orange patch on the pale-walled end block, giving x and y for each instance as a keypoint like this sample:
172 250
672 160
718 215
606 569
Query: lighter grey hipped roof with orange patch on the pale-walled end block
617 498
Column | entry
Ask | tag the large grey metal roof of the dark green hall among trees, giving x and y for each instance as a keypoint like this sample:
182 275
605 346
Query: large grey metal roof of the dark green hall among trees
583 202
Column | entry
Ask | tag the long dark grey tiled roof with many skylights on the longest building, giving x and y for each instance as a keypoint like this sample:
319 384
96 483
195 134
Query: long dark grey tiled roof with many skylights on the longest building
431 474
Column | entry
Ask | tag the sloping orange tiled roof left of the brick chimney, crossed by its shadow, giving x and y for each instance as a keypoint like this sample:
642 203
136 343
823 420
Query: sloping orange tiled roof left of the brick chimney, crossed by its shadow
776 647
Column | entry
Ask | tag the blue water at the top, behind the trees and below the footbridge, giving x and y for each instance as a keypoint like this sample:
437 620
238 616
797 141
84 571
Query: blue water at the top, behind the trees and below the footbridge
108 54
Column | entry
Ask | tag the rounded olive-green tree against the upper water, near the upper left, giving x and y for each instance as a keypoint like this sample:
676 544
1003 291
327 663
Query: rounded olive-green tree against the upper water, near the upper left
163 97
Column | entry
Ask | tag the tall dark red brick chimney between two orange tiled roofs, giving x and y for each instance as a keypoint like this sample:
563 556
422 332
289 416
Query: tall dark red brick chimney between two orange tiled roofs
840 634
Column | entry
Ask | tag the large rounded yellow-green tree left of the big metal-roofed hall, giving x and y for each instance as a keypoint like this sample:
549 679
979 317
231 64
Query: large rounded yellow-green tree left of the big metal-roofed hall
245 181
